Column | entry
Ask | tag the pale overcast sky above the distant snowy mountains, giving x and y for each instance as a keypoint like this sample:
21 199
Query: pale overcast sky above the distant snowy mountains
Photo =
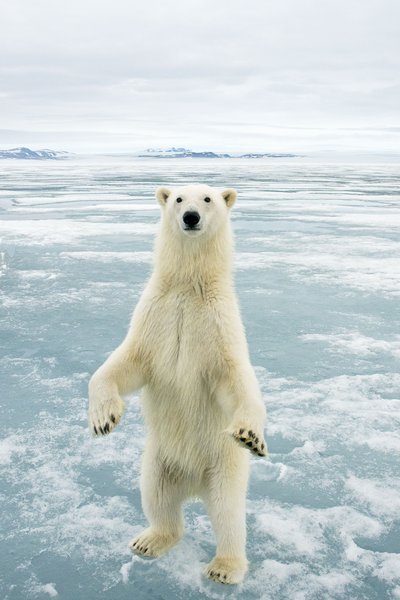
120 75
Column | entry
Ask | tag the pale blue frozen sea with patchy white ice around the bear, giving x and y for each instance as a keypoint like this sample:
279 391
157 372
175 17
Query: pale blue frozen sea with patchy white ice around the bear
317 271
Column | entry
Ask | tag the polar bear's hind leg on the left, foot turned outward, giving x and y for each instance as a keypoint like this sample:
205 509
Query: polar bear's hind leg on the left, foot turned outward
163 492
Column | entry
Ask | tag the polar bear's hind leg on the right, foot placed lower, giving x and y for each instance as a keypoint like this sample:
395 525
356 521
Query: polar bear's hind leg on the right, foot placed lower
225 499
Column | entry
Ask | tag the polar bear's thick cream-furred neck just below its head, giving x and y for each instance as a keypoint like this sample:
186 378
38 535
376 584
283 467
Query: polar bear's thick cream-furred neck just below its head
183 260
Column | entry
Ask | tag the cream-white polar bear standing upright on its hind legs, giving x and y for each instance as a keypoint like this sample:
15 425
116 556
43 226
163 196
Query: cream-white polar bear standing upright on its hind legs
186 349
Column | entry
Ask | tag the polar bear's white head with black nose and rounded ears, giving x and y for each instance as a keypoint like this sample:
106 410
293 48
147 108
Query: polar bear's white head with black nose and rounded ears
195 210
